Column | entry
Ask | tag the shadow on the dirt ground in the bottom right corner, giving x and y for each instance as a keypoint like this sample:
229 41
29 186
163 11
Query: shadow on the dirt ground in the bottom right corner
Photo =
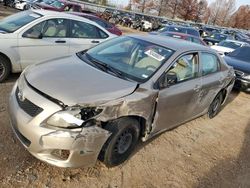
230 172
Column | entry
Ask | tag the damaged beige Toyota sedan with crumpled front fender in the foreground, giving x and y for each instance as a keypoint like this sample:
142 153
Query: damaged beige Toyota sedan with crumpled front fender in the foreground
97 104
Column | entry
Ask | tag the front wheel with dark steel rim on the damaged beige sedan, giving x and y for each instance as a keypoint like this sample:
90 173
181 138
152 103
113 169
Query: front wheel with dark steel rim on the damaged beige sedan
125 135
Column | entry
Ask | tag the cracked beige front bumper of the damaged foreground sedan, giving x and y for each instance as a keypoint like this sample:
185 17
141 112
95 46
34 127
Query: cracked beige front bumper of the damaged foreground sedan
82 146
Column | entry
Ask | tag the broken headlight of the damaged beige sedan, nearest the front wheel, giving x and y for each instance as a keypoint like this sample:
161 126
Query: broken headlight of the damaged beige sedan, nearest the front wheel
73 117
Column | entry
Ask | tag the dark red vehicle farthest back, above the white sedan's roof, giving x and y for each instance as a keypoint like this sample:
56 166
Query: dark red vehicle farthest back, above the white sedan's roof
60 6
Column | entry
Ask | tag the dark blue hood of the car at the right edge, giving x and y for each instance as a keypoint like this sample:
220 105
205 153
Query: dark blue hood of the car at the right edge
238 64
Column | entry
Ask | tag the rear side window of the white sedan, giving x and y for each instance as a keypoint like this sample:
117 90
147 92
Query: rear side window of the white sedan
85 30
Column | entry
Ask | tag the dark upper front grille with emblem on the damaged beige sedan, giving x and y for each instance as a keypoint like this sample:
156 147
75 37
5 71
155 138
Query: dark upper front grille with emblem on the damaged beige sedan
27 105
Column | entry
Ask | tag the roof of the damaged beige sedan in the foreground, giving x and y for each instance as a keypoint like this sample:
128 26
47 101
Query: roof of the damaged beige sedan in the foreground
172 43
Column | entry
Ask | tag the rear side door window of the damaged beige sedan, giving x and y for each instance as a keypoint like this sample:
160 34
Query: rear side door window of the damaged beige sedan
209 63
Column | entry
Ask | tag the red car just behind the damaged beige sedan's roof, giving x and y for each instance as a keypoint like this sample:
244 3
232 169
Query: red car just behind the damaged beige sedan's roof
184 36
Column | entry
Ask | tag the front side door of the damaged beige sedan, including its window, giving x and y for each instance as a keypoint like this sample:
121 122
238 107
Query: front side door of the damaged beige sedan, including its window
178 97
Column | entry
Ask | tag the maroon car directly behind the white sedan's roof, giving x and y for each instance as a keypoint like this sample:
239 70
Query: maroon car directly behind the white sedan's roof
110 27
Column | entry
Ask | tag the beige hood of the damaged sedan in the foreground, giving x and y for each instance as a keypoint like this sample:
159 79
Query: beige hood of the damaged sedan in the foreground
72 81
